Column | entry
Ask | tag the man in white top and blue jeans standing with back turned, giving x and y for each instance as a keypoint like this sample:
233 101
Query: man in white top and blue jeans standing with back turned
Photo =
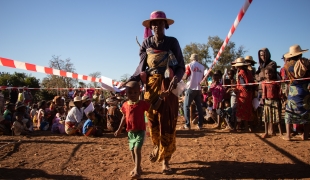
194 74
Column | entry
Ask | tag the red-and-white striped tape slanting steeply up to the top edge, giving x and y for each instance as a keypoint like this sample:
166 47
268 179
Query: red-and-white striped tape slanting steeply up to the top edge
230 33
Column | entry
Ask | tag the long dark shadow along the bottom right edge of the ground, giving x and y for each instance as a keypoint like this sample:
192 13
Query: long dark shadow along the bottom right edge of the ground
243 170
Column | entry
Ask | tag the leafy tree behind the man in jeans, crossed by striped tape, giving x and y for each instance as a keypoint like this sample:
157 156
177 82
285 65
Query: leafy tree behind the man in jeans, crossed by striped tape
213 46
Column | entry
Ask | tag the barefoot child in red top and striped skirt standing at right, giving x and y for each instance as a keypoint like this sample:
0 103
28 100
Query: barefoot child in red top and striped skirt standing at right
271 99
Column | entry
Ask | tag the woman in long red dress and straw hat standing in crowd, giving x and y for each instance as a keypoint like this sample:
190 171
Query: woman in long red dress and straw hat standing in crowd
244 93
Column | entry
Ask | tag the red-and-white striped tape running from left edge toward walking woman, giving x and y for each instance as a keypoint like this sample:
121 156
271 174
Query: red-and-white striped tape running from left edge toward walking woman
47 70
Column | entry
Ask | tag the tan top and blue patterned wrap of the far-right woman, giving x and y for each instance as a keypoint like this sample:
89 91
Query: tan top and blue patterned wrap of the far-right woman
298 100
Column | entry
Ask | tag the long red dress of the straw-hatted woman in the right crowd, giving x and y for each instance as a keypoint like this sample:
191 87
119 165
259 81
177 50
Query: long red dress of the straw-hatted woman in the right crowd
244 97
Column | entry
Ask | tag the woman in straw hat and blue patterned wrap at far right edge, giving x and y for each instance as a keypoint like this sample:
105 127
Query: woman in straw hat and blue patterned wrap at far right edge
298 101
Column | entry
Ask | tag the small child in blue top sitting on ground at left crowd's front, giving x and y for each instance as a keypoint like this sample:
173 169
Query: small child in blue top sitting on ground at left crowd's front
88 128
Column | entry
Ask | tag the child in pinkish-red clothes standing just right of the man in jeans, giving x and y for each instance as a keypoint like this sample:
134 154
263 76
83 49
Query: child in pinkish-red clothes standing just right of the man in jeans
217 91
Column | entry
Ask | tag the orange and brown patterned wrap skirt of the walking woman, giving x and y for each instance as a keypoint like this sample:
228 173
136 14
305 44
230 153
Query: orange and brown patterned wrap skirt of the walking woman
163 121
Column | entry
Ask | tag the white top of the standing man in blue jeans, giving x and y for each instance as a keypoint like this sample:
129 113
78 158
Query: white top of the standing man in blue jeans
195 71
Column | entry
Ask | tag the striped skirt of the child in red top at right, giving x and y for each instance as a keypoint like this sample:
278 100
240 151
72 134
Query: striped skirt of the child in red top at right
272 111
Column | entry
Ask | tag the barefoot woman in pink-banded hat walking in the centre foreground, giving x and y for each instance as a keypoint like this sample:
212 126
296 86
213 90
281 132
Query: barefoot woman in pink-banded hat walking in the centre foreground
161 68
